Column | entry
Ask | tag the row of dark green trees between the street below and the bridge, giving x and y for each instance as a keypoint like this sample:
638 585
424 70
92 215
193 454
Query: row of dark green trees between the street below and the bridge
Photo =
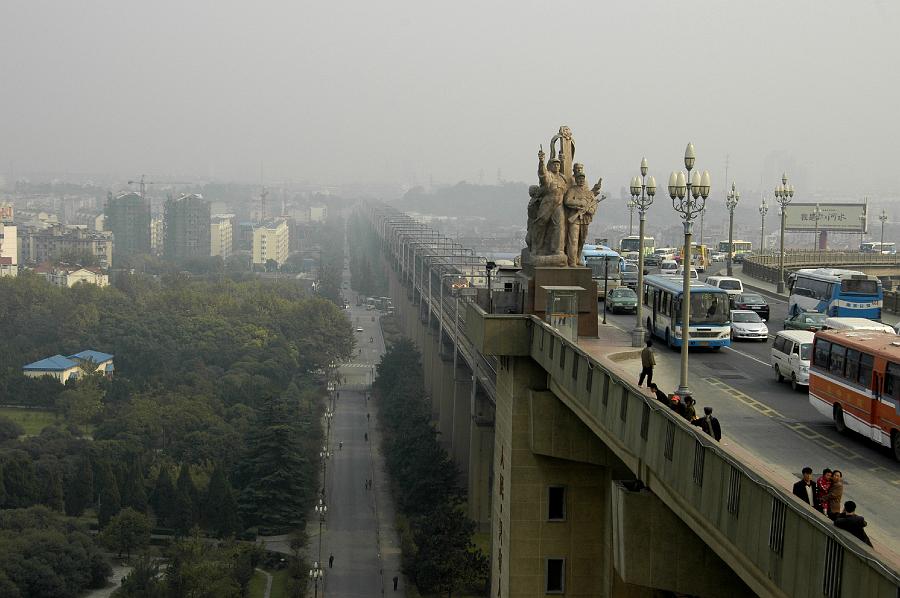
438 554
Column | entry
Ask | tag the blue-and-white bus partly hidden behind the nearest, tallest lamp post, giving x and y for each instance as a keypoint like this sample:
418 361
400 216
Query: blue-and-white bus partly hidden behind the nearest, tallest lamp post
710 324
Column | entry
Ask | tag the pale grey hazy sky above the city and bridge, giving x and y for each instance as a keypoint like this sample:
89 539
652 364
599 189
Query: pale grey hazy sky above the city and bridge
403 91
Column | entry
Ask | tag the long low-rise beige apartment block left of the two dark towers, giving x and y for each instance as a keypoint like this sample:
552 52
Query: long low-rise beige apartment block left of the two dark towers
51 244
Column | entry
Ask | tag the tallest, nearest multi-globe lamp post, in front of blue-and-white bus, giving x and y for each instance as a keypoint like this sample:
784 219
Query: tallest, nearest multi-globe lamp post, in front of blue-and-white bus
688 193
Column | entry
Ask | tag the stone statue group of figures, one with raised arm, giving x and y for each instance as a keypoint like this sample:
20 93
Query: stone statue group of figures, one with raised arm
561 207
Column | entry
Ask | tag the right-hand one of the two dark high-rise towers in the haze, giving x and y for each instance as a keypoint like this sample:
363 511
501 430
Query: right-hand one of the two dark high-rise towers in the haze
187 227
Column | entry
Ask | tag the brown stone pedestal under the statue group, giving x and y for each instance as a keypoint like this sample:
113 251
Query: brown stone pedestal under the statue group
536 298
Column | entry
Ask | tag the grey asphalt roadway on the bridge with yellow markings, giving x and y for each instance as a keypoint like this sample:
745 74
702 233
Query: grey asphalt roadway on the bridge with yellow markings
779 426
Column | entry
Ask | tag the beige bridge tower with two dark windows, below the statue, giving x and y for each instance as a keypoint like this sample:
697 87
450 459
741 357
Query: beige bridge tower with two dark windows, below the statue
540 445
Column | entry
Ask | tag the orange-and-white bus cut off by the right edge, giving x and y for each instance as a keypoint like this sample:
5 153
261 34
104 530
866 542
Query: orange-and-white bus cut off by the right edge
854 380
